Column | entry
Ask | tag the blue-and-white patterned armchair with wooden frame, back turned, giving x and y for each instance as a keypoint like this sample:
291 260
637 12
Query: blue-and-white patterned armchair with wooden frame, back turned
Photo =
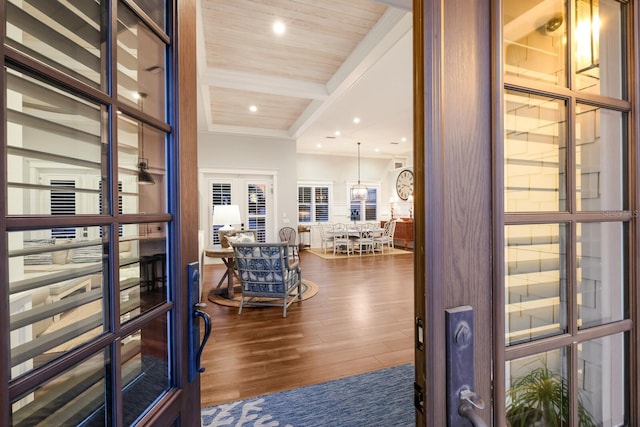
267 275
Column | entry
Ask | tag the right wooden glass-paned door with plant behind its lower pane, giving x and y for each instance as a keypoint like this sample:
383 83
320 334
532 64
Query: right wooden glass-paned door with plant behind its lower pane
527 206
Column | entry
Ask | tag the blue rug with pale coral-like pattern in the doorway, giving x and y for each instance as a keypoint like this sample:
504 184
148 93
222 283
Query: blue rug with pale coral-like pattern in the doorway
381 398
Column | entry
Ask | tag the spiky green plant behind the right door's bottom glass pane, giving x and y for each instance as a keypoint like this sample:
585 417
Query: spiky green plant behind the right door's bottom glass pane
540 398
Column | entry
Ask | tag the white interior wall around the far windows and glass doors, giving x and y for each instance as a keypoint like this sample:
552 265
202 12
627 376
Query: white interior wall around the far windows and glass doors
225 152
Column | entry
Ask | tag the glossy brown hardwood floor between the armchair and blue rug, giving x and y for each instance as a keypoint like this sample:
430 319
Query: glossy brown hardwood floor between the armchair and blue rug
360 320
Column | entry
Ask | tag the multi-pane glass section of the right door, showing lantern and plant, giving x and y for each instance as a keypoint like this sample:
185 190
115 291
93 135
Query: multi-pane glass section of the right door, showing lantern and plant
567 218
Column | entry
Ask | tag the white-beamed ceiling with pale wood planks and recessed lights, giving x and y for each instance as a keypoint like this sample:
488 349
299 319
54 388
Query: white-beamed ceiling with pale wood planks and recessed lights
336 60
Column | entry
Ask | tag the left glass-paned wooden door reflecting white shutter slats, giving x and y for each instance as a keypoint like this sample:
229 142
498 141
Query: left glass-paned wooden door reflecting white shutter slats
94 305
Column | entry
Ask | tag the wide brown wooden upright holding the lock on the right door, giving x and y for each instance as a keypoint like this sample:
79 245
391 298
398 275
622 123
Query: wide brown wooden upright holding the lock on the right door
453 189
